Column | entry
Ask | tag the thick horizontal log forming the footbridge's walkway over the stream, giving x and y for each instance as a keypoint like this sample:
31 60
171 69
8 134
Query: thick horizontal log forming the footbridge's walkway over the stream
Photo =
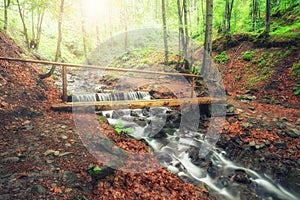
132 104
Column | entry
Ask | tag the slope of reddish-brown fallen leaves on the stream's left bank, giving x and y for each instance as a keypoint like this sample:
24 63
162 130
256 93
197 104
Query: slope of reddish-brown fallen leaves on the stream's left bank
42 156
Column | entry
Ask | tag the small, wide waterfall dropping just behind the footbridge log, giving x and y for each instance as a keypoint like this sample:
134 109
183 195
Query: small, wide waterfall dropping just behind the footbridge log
111 96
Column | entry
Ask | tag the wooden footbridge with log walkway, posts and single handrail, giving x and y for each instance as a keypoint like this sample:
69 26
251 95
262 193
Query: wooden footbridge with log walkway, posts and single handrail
108 105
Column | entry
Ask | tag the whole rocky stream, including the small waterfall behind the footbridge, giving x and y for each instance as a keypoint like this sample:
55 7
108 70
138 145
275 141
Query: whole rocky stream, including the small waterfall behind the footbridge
178 150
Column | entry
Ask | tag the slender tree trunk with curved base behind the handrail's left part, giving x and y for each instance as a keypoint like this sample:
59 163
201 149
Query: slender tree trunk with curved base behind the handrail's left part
59 39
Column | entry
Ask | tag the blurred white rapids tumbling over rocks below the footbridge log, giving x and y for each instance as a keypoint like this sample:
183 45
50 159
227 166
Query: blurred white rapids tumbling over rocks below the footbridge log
181 164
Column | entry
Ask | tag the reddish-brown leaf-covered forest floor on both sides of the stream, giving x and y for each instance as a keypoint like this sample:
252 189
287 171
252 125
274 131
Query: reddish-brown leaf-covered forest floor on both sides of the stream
42 156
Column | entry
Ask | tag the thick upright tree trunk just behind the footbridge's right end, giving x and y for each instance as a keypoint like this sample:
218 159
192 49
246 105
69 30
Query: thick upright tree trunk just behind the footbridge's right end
206 64
